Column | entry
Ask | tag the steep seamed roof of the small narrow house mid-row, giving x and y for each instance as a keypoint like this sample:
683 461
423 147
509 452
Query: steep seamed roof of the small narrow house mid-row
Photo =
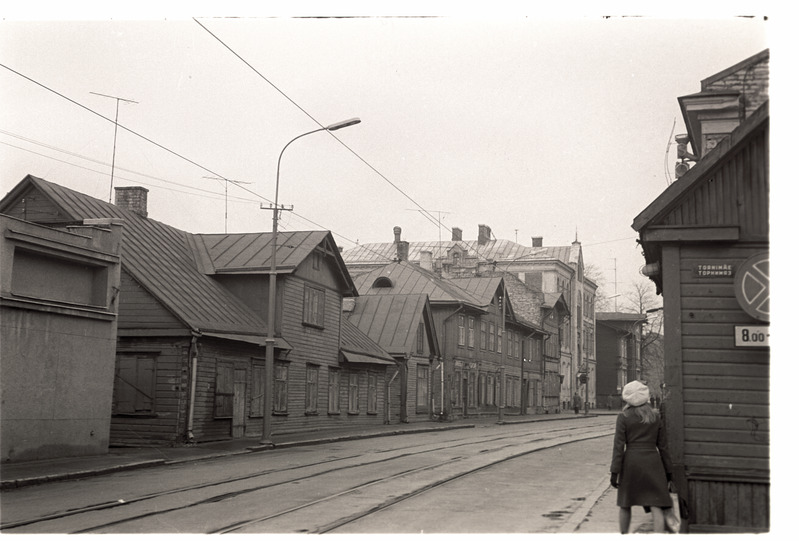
392 320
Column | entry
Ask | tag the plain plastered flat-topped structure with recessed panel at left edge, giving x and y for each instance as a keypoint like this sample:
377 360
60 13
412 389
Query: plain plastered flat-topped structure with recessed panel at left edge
58 327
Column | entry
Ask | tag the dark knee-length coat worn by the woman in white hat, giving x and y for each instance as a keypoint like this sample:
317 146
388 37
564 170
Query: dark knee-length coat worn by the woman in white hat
641 458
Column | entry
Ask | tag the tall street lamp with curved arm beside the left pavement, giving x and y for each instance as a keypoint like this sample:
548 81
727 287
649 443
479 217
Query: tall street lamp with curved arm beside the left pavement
266 437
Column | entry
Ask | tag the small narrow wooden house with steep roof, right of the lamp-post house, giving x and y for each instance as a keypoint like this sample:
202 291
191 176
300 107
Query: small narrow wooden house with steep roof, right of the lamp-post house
403 326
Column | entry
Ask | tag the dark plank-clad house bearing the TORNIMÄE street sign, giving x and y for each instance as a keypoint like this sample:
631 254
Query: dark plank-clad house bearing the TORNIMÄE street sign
706 244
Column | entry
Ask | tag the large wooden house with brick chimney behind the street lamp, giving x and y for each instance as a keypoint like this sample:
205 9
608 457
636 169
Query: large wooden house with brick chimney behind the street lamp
191 332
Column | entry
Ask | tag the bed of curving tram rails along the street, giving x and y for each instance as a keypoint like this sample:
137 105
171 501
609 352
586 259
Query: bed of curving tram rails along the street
343 489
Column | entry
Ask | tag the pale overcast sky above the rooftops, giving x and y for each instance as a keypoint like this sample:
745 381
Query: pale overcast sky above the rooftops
534 126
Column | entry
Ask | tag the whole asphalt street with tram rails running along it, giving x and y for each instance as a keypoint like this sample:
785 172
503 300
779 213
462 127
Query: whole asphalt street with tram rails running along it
531 478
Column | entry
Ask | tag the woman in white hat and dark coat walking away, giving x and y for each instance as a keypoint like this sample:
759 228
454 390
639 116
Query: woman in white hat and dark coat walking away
640 466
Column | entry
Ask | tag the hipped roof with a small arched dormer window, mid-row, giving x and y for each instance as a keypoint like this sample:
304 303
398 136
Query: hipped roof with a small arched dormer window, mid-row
408 279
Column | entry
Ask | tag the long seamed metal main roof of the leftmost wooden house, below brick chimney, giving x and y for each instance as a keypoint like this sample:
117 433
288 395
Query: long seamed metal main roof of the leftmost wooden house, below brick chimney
157 256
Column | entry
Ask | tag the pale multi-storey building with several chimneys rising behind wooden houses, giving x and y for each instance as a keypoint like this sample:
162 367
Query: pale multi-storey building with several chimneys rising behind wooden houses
547 270
